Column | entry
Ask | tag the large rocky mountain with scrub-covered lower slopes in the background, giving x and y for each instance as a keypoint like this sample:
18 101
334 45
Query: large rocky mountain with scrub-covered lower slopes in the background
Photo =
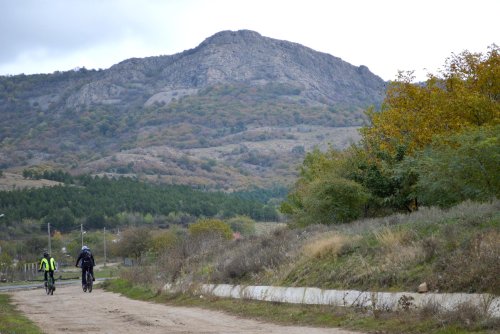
238 109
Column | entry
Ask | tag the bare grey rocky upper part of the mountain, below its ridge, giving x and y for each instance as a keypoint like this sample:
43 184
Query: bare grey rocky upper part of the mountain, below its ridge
235 57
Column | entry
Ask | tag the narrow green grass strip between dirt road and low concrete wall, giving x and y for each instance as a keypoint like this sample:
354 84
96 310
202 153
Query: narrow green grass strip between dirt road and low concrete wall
299 315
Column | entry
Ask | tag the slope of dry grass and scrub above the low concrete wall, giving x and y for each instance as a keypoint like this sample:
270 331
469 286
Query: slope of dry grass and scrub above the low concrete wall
452 250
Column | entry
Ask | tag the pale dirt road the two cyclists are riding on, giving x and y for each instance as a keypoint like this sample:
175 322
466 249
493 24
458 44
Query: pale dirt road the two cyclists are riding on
70 310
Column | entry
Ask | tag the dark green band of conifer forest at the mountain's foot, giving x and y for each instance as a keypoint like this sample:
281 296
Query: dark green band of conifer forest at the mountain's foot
102 201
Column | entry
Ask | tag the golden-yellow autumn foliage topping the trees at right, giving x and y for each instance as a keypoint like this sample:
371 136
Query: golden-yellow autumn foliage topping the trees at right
466 95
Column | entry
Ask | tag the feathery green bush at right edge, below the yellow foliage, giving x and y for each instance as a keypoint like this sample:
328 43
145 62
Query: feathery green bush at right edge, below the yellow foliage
460 167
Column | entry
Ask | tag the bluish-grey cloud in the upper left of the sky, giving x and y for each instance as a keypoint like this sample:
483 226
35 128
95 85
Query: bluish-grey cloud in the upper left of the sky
60 27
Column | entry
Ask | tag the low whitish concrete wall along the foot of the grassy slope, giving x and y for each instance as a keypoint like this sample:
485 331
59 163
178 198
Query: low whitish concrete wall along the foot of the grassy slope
352 298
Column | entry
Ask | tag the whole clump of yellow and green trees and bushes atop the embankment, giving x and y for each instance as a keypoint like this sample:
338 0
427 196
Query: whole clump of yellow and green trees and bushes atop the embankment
433 143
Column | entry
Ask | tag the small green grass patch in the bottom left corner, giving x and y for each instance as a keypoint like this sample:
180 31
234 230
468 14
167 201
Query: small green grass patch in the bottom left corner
12 321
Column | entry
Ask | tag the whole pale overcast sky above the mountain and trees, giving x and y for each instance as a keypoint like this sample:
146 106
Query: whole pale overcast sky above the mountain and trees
43 36
